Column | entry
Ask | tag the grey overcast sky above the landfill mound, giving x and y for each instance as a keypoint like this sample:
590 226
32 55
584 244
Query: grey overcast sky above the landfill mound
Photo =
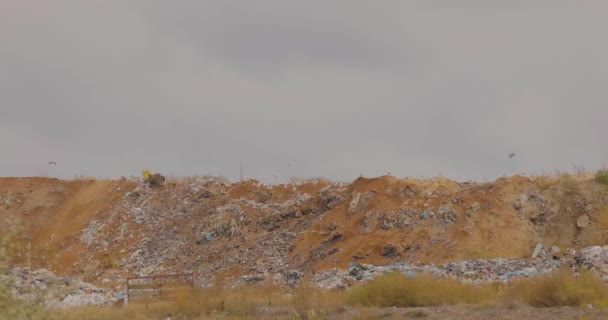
302 88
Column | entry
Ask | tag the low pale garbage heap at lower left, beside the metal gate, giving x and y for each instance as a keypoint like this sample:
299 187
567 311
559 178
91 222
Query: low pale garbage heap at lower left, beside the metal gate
56 292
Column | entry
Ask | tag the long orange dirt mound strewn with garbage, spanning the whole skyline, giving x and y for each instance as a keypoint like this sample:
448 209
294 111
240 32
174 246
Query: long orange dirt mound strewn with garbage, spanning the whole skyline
106 229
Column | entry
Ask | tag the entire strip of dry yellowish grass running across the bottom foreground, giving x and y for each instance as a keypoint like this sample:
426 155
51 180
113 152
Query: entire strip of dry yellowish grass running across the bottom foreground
308 303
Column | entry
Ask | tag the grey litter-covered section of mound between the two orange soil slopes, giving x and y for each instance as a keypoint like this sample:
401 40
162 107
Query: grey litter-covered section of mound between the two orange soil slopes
203 225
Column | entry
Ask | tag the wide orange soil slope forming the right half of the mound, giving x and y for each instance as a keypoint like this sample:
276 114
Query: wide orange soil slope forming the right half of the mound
492 220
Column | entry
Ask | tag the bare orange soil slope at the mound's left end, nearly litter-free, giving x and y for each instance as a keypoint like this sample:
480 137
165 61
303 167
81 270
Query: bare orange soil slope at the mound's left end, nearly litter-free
53 212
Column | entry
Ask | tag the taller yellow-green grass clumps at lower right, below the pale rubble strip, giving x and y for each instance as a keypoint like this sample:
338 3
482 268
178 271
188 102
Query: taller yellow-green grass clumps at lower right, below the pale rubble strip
559 289
